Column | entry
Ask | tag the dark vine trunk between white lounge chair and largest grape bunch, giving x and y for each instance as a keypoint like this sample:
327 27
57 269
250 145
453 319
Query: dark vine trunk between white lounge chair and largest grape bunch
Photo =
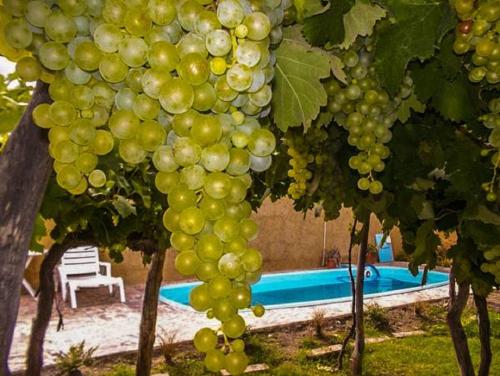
147 333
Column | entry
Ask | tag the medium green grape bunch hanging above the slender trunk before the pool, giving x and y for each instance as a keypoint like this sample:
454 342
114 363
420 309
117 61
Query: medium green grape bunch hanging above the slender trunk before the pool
366 111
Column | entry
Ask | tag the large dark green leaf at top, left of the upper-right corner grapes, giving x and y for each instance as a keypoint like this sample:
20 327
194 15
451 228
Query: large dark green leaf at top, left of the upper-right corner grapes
412 35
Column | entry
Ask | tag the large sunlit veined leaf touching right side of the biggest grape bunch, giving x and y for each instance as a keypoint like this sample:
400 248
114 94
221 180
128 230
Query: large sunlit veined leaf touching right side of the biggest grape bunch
298 93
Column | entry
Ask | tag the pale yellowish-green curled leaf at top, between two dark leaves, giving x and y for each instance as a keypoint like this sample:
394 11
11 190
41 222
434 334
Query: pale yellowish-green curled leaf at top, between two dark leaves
360 20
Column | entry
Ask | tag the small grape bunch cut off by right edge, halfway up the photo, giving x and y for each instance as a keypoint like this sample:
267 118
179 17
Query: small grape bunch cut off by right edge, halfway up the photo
491 120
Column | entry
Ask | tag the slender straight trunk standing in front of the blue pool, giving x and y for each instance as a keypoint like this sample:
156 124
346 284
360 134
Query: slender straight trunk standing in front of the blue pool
359 343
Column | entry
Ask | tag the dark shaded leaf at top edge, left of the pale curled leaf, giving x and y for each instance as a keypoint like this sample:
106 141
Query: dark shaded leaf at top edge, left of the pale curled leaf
327 27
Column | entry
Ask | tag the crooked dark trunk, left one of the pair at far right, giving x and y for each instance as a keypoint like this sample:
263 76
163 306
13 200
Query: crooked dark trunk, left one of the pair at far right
455 308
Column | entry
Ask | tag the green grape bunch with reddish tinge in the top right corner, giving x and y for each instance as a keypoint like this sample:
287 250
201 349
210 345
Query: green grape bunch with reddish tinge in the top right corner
478 31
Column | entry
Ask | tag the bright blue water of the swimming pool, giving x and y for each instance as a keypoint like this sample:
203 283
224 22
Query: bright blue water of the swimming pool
318 287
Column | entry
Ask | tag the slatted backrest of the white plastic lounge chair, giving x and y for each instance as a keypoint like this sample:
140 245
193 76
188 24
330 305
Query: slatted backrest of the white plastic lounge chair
81 260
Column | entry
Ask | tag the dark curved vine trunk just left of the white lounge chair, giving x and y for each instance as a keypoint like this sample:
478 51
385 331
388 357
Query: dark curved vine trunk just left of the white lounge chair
34 360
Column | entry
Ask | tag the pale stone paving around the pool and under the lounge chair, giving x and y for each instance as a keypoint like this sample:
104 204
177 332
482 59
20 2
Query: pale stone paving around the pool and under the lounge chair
103 321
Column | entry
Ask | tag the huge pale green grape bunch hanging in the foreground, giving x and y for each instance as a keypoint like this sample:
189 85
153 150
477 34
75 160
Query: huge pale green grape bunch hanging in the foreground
181 85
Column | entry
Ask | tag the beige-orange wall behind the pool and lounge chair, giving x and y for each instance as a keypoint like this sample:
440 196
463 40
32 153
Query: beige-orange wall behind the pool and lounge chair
287 240
